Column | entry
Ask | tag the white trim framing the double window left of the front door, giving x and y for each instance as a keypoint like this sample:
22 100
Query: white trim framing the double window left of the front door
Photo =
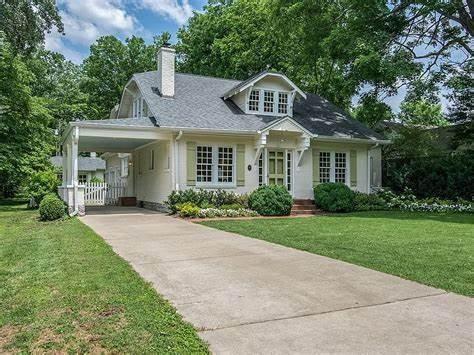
215 167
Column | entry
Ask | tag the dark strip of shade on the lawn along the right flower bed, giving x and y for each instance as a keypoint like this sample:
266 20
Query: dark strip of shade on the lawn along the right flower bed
463 218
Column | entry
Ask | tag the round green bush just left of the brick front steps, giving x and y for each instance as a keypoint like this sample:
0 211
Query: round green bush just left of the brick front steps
271 200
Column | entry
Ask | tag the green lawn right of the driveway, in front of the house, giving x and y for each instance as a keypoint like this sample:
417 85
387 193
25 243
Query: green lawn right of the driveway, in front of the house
433 249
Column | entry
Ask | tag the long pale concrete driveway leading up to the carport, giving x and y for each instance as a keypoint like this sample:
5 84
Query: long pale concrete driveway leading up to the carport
247 296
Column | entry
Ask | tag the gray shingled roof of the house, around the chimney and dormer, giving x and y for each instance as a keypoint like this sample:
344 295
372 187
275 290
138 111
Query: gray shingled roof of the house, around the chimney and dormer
198 103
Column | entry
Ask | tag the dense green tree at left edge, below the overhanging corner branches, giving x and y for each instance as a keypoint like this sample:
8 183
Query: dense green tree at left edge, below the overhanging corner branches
25 139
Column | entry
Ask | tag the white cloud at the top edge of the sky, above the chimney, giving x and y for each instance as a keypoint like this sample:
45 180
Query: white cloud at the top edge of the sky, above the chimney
178 11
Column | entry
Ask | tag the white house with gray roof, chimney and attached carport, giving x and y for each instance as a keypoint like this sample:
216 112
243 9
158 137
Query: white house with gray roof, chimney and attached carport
188 131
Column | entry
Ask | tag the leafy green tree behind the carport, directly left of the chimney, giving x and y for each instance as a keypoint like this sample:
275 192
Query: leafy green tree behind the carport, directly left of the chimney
108 68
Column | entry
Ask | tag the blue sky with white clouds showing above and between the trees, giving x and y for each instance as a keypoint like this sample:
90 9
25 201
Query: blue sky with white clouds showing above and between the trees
86 20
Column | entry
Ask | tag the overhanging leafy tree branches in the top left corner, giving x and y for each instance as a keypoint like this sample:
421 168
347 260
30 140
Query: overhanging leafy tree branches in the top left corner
25 22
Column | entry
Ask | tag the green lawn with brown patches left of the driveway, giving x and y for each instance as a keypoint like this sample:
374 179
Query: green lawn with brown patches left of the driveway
62 288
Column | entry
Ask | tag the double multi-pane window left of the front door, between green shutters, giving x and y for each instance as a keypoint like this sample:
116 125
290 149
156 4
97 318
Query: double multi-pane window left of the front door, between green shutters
215 165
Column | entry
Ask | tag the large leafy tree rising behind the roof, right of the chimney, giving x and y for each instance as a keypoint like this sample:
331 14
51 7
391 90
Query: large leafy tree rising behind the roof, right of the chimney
328 47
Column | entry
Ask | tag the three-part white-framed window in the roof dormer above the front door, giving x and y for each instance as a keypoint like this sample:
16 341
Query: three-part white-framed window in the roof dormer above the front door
269 102
